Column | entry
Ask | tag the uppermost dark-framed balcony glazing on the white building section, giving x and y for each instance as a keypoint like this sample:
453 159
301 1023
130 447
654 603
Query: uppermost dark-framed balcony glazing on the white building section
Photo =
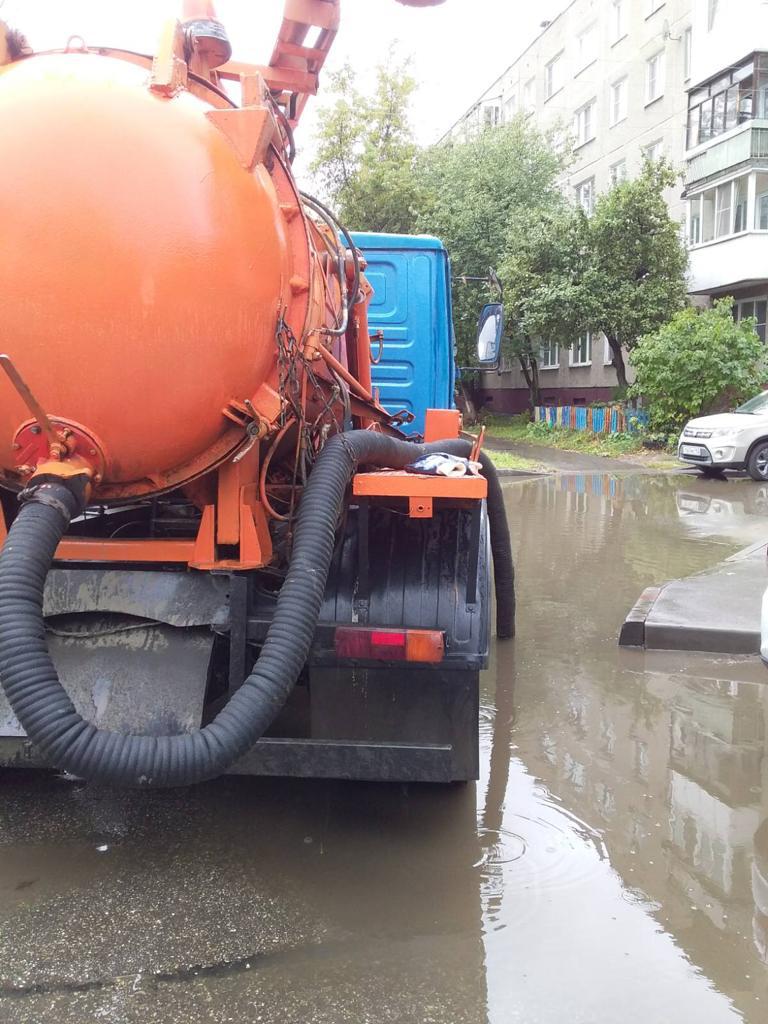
729 101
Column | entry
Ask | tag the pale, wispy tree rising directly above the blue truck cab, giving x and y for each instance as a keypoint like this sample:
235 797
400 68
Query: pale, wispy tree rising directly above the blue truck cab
366 154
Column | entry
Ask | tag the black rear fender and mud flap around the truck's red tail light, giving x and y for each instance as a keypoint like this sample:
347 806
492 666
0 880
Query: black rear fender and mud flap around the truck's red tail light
417 722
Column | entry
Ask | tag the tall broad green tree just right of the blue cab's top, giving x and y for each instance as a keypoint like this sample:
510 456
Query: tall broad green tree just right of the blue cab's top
472 192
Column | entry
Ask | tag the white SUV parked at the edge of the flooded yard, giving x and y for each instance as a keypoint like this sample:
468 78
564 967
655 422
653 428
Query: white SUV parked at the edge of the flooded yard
730 441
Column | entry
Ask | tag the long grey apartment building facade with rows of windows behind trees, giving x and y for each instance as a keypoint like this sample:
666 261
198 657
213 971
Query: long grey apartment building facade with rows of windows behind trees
614 74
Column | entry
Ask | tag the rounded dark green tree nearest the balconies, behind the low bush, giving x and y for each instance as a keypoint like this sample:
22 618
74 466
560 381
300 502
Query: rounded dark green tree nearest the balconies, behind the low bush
636 280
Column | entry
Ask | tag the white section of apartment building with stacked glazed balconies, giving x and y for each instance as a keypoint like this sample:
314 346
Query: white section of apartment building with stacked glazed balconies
727 180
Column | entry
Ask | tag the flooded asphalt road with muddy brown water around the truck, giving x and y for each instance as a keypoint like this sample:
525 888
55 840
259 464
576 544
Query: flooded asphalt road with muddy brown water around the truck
612 865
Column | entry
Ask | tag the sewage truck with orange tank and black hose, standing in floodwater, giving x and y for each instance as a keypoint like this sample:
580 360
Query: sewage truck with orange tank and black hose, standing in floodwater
219 551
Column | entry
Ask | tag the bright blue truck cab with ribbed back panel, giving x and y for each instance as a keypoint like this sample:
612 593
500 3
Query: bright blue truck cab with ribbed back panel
411 278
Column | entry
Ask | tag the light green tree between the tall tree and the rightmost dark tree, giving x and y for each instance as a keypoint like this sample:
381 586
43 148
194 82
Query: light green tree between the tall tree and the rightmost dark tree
543 273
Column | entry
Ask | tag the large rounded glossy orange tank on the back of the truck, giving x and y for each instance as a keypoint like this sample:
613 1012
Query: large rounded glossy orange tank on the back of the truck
143 270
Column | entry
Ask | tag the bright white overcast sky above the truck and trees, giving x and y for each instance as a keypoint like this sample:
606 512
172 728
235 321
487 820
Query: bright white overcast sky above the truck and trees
458 49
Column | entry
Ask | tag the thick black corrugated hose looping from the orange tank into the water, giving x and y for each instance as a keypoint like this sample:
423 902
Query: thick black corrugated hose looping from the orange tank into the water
67 741
